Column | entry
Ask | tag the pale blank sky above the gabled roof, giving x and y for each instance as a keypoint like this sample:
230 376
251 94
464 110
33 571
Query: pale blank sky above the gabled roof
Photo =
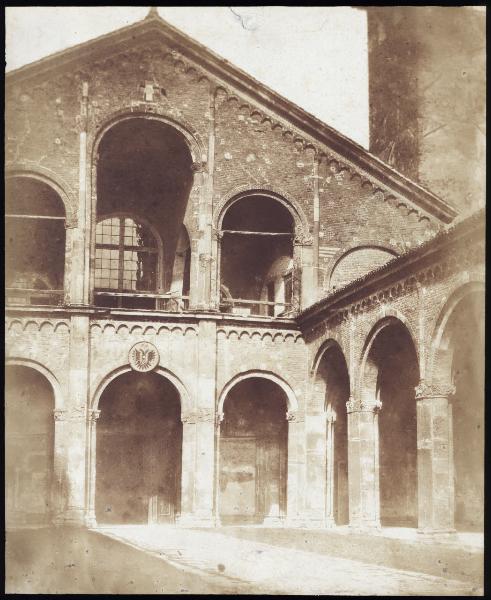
315 56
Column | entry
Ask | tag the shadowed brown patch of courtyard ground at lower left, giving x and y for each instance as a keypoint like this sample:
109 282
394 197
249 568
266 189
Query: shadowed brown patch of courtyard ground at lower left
57 561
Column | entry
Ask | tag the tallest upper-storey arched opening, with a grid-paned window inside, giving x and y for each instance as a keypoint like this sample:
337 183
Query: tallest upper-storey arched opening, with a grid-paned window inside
144 176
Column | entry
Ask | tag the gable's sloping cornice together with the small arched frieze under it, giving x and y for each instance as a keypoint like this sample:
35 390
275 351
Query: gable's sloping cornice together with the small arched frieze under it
306 130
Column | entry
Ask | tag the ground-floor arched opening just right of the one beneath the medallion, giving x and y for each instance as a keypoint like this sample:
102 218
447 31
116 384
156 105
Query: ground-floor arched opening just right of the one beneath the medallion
253 454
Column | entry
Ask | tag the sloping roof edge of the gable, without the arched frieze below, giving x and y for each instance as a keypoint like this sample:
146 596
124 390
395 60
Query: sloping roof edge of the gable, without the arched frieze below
258 92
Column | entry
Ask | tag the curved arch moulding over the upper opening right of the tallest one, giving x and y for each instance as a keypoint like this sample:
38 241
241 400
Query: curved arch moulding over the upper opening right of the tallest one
244 191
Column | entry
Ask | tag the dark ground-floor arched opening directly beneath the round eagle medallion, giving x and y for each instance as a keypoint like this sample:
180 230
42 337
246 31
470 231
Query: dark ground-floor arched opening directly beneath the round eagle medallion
139 447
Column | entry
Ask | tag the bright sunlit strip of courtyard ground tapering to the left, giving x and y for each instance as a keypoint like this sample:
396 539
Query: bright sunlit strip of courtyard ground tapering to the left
273 569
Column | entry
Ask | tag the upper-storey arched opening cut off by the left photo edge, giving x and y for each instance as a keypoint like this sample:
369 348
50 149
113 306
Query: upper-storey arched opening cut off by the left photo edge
34 243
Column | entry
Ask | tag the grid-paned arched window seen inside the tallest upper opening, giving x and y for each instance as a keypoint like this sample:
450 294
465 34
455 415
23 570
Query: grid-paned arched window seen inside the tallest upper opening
127 262
